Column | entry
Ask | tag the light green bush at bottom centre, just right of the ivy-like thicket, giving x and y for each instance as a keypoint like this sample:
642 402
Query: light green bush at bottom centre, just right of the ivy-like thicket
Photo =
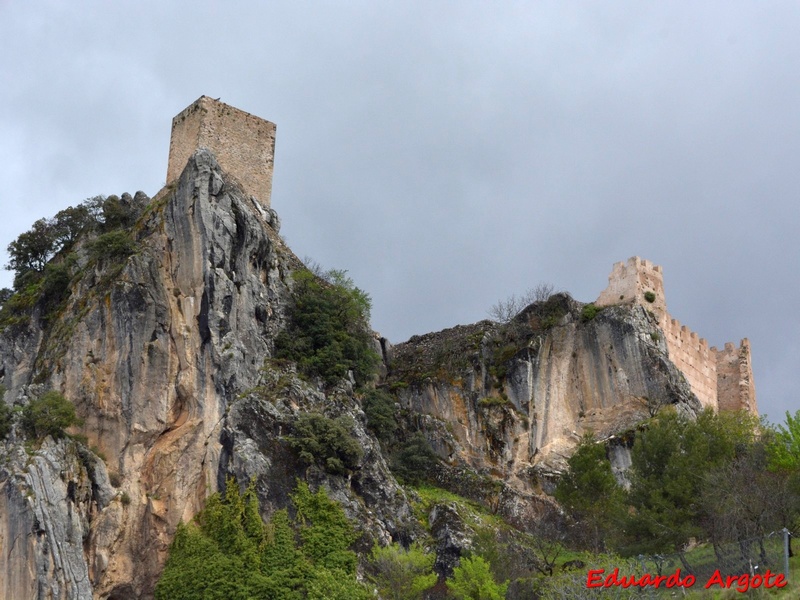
401 574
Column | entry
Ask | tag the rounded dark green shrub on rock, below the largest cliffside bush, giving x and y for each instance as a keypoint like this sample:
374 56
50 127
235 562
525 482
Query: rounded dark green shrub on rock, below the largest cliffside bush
327 443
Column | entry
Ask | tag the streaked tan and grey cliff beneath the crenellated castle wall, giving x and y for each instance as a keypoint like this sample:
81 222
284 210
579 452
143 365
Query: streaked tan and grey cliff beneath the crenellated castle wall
512 401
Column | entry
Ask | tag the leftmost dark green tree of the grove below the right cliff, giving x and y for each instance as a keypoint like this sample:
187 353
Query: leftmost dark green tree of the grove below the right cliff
591 494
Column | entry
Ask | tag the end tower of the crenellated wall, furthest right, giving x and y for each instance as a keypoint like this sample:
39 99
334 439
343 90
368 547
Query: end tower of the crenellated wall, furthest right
735 387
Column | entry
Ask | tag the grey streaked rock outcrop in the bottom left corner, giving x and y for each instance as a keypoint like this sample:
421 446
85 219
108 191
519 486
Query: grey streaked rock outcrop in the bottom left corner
47 500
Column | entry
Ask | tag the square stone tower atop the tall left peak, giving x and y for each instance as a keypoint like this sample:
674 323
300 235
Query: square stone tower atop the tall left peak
243 144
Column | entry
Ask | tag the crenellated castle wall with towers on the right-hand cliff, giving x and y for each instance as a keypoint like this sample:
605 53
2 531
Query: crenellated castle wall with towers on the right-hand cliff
721 379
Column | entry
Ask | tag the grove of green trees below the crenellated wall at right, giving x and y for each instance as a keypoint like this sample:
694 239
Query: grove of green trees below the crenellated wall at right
718 478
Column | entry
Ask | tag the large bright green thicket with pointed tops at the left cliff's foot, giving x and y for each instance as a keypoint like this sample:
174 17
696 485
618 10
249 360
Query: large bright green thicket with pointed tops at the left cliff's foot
230 553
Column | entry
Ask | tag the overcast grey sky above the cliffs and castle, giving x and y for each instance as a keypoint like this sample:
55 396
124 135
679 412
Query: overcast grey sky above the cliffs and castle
449 154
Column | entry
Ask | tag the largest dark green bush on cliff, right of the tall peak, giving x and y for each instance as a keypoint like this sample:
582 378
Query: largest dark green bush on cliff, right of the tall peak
328 333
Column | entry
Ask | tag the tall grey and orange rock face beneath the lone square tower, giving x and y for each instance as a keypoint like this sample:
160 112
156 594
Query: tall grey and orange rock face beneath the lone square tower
158 355
